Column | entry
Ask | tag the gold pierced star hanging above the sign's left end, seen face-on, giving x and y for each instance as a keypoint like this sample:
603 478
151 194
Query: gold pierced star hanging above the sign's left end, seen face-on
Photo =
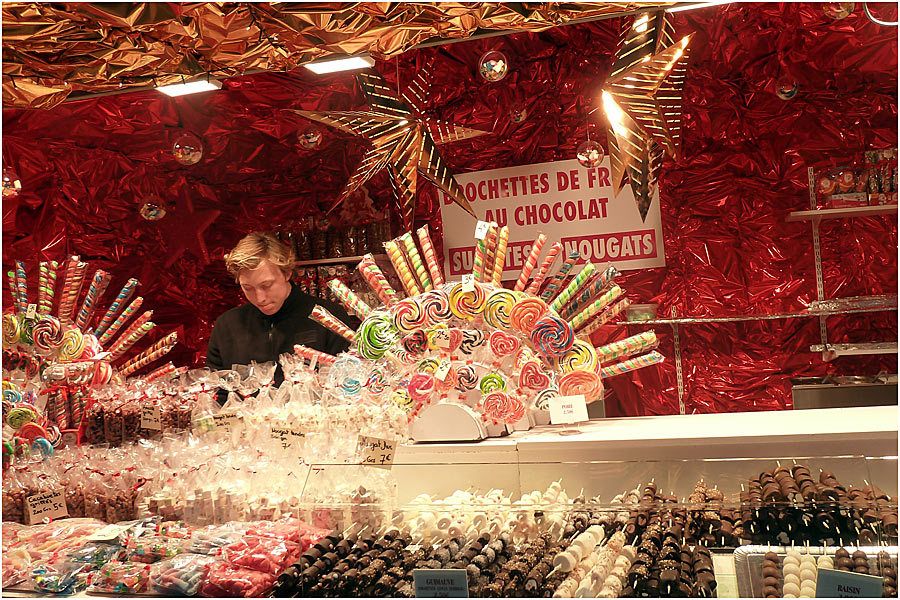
402 140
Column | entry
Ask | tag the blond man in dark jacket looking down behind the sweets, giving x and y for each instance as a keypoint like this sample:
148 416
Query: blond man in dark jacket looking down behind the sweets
277 315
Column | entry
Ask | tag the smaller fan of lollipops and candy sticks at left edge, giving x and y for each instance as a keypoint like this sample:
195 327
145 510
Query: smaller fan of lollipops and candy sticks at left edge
78 344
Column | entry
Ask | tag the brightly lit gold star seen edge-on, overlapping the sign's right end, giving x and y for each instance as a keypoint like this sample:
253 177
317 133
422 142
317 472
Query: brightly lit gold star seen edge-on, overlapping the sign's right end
642 101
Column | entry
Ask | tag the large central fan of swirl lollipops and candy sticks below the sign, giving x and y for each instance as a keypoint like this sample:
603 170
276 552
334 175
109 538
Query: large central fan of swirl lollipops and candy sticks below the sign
501 352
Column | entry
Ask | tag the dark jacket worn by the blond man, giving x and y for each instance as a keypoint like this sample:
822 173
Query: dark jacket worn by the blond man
245 334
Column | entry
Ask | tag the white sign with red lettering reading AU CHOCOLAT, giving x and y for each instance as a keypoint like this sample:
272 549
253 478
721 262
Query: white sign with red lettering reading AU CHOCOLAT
563 200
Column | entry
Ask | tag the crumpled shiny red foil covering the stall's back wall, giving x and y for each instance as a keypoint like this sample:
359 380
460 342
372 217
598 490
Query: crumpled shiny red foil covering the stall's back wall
87 167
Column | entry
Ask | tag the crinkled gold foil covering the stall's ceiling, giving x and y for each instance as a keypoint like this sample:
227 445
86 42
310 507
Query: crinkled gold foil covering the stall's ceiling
52 50
